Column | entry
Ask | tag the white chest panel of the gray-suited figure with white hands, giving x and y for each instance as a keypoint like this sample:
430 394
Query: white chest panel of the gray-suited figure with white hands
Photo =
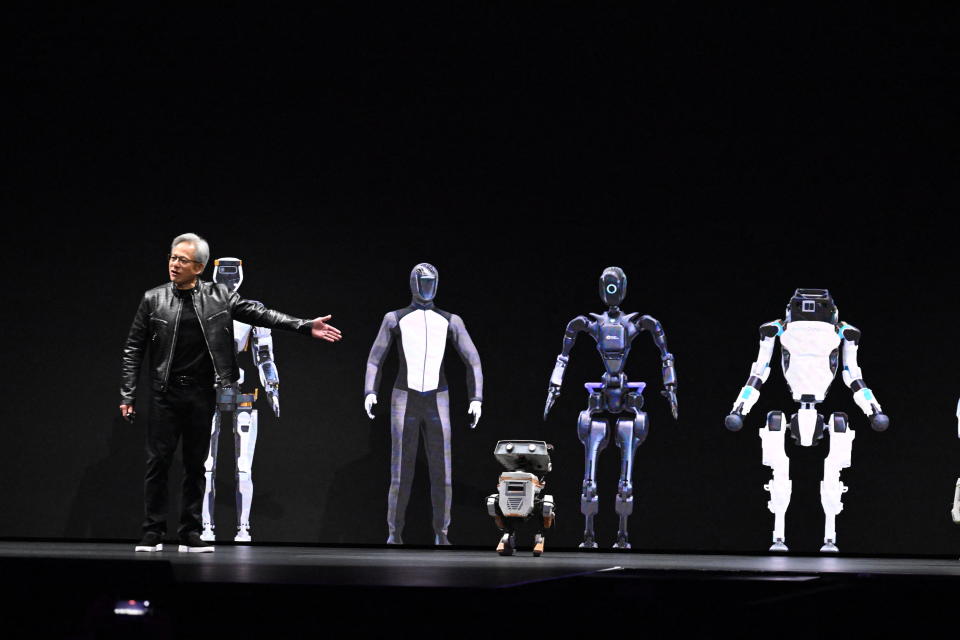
424 335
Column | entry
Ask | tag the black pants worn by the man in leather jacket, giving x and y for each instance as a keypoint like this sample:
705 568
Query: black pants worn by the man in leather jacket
182 412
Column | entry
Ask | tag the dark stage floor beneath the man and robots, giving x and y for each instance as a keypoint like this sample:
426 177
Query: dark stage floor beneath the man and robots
376 590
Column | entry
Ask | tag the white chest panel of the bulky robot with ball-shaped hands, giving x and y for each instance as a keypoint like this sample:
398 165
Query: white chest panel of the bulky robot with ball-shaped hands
808 369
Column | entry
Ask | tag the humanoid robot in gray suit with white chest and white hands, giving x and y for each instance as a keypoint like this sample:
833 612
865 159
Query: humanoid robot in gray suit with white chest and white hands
420 402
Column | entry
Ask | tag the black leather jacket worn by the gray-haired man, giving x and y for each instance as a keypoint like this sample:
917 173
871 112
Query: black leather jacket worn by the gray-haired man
155 327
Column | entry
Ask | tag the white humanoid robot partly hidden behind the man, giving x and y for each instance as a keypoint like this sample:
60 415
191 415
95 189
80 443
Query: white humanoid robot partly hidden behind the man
229 271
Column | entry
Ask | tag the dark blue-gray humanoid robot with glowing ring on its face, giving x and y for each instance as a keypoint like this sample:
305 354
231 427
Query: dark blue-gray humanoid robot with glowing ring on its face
614 332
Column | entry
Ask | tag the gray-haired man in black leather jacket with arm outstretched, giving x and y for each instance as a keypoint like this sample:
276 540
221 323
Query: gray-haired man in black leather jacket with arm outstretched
188 327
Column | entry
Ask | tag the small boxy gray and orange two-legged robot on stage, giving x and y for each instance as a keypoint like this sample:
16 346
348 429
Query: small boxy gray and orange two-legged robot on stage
520 492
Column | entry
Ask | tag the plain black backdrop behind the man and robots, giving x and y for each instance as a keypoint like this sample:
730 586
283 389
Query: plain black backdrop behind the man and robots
722 158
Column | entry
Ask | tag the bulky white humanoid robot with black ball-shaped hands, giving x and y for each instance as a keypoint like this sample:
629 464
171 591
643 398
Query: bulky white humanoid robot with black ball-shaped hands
814 345
